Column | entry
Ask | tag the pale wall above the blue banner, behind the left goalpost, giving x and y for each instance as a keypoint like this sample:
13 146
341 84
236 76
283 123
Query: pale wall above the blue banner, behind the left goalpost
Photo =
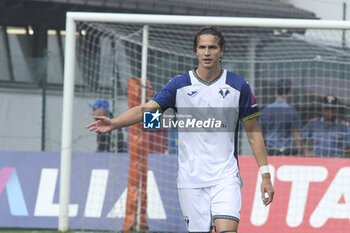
20 121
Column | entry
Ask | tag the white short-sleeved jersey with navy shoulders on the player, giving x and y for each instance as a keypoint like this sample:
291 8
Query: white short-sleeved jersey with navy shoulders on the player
207 158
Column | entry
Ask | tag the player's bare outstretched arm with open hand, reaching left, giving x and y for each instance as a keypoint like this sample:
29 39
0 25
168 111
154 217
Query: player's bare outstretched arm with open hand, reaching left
103 124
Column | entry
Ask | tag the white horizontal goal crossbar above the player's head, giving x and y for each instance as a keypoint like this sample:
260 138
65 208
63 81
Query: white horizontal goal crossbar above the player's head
207 20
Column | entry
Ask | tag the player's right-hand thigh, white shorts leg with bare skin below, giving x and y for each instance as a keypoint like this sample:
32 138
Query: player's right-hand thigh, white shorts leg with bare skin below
226 206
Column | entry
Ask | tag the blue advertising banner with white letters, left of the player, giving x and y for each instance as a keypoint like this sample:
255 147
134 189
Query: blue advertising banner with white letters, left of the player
29 191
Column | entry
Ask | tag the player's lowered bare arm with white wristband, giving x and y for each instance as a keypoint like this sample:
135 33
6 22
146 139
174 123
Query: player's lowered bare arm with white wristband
256 141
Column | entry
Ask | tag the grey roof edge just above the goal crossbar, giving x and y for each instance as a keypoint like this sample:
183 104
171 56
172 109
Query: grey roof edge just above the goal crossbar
235 8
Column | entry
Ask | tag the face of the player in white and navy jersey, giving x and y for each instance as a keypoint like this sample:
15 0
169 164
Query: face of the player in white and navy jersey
209 51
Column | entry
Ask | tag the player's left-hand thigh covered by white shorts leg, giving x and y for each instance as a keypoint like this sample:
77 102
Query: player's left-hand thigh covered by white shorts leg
195 206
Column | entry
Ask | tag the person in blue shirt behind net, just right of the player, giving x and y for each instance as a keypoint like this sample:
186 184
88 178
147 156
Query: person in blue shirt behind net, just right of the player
280 123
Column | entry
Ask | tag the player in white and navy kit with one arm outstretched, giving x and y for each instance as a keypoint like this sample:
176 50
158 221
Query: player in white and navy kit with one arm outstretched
208 177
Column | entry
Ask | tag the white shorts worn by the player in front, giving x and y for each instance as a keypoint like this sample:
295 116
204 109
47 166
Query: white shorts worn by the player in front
200 206
